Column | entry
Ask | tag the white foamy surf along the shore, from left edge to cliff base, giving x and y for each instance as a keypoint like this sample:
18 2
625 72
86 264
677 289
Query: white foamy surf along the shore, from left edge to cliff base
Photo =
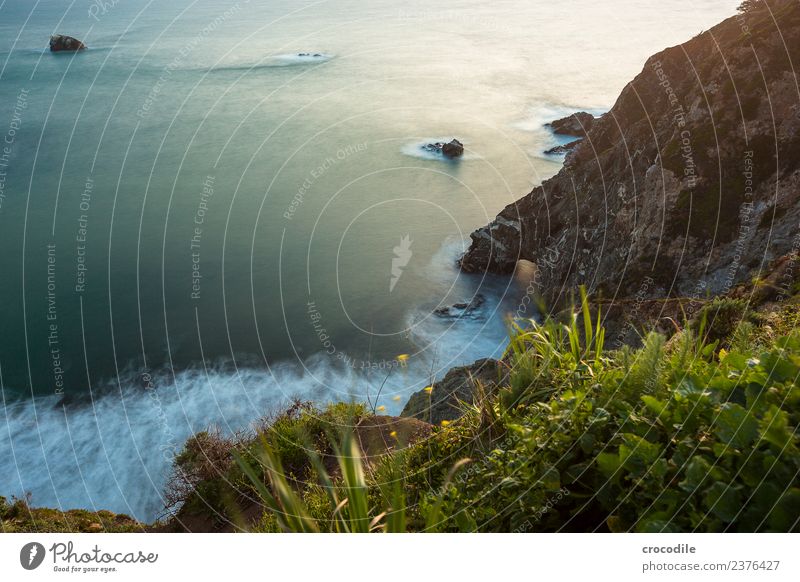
114 451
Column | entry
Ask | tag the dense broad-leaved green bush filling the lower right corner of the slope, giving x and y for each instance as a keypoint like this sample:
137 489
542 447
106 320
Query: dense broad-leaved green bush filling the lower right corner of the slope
712 446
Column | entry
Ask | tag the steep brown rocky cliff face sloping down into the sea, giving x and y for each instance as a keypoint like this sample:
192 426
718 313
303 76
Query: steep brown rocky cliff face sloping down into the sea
688 185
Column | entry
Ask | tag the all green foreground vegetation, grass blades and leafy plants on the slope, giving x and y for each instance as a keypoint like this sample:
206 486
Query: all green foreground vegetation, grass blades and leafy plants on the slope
680 435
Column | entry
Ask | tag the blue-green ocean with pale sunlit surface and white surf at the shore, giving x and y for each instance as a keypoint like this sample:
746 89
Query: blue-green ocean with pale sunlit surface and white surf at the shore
219 207
